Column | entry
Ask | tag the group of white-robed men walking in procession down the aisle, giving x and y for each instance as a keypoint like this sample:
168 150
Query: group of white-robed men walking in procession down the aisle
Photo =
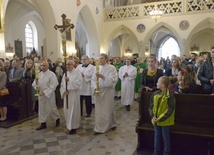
86 83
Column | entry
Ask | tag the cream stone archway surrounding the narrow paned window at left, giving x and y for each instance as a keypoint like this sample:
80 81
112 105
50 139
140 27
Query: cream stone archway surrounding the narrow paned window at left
19 13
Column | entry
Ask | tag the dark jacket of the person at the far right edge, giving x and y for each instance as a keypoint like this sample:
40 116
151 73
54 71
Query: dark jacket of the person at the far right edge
205 75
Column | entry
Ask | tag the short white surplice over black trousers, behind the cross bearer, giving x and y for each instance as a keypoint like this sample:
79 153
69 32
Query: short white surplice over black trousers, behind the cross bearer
86 83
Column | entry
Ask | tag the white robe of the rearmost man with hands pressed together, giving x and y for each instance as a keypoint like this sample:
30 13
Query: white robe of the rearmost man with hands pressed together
127 83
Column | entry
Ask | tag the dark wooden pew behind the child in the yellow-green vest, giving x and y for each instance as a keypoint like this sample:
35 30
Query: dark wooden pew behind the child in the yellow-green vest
193 132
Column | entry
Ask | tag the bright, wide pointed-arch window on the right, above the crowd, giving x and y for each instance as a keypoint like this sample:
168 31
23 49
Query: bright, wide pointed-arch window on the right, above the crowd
168 47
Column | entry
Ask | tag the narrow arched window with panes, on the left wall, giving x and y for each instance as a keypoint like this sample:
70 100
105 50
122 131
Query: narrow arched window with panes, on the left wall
29 38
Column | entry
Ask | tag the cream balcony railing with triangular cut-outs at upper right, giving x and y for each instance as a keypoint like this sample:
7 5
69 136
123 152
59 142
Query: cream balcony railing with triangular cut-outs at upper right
168 7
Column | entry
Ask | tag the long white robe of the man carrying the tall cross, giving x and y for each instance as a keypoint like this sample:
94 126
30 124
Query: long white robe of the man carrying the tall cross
72 113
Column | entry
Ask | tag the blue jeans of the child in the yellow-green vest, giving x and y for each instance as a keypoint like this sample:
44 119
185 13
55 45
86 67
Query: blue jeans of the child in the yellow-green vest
162 132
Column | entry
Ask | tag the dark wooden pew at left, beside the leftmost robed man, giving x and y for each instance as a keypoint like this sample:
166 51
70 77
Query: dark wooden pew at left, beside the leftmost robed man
19 103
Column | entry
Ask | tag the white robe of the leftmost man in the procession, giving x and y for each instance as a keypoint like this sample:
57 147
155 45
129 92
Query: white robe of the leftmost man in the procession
47 103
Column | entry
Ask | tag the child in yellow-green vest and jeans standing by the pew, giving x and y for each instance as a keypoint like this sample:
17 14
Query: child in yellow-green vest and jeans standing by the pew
161 110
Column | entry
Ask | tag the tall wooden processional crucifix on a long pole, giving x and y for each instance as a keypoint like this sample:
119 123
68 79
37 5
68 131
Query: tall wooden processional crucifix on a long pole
63 28
